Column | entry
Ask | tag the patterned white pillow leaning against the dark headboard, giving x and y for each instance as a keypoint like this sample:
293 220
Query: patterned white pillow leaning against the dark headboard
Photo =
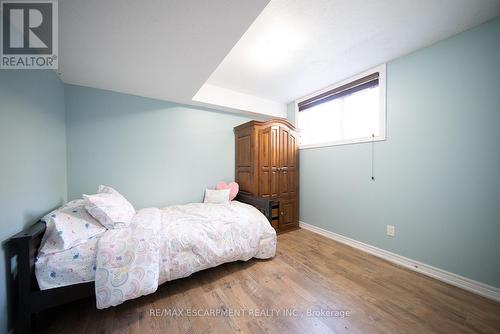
67 227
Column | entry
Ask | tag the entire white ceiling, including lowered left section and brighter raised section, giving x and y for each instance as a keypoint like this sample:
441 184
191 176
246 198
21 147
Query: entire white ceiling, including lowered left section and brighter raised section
223 54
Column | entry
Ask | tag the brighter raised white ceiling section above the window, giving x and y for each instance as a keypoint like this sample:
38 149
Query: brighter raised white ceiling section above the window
296 47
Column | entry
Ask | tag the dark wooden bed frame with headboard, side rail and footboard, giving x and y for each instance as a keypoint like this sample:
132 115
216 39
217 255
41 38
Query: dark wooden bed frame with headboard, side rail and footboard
26 297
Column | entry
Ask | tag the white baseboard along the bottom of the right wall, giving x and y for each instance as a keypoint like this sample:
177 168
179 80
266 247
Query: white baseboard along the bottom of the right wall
465 283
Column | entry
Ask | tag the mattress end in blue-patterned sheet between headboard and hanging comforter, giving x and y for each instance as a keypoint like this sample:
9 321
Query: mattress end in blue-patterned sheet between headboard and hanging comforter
73 266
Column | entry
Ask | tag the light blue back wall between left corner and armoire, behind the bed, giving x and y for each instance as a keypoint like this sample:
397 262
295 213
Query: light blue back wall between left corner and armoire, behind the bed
156 153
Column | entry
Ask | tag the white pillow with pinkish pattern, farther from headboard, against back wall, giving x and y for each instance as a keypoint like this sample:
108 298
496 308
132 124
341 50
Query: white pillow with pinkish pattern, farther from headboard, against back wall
110 208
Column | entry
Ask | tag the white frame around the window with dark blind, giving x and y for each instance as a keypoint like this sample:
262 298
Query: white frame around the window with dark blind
381 69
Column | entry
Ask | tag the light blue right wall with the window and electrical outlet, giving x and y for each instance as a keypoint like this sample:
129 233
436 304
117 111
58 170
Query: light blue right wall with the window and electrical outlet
438 173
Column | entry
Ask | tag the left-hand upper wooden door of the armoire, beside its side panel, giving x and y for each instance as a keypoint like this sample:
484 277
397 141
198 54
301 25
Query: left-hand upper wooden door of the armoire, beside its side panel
269 162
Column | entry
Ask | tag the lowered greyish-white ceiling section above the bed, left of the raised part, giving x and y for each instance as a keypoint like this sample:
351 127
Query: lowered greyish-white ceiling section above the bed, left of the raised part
164 49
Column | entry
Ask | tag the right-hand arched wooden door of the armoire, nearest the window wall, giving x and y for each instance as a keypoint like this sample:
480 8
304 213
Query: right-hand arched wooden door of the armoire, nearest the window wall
288 180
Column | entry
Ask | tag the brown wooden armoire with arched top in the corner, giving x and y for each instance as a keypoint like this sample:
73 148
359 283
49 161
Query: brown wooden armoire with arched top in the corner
267 165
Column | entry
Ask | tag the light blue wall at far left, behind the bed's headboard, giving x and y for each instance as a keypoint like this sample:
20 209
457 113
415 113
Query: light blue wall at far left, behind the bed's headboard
33 154
